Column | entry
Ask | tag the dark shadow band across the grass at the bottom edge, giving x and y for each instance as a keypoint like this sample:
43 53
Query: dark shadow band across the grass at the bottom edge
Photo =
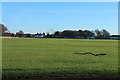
41 74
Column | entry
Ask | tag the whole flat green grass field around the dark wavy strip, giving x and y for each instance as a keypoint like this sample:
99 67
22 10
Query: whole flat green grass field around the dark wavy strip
40 58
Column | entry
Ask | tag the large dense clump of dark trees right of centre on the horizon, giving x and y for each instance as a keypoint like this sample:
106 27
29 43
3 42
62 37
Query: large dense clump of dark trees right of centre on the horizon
98 34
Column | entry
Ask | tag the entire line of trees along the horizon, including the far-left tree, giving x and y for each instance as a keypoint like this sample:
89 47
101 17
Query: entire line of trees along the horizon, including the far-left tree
98 34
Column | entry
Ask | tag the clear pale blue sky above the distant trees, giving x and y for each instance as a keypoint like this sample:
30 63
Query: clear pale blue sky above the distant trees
38 17
